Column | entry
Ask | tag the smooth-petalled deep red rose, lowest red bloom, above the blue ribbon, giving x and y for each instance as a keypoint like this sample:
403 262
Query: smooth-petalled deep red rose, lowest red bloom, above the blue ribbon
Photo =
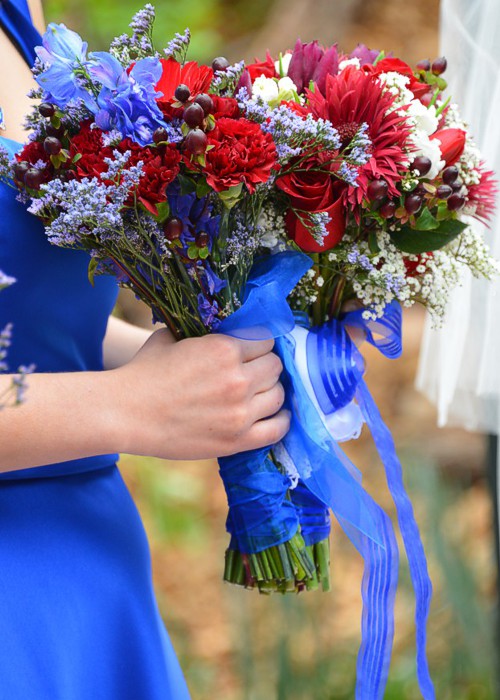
311 192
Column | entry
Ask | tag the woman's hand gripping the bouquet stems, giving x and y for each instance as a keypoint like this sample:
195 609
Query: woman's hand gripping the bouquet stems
199 398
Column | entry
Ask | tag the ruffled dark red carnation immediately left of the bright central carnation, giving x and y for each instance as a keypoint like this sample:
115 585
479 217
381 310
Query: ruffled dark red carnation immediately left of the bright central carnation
161 167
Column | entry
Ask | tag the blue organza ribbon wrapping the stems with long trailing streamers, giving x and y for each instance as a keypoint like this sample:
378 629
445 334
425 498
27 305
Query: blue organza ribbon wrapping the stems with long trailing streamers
259 515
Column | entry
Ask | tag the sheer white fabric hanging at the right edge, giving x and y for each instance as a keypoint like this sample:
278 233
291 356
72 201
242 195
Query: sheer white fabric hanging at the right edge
460 363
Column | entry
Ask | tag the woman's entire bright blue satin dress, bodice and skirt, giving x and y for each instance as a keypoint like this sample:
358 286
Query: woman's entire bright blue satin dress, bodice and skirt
78 616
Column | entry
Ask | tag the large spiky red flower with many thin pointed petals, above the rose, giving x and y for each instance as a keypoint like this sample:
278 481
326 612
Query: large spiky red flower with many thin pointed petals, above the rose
351 99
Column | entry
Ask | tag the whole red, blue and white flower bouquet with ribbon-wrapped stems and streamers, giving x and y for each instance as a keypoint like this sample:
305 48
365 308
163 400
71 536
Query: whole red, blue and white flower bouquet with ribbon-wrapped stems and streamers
306 197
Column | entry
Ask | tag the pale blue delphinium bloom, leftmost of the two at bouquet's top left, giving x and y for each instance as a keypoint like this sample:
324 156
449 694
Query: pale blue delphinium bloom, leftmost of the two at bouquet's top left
64 77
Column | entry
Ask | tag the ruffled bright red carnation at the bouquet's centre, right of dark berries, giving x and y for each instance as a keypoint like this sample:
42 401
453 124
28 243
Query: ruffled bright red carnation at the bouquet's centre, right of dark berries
241 153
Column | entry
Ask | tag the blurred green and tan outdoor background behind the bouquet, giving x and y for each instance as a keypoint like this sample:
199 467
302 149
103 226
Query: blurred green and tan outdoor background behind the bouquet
233 644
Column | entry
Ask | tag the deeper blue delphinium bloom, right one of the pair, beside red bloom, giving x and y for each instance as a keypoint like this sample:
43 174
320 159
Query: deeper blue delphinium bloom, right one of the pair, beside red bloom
127 101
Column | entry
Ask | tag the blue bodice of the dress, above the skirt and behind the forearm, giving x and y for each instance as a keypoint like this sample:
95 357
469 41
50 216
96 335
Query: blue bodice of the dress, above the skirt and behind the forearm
59 319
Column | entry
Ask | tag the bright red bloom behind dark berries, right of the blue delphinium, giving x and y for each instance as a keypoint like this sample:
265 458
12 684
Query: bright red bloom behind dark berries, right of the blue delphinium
197 78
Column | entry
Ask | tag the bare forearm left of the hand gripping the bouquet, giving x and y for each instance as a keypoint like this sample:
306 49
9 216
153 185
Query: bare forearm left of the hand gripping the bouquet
64 416
